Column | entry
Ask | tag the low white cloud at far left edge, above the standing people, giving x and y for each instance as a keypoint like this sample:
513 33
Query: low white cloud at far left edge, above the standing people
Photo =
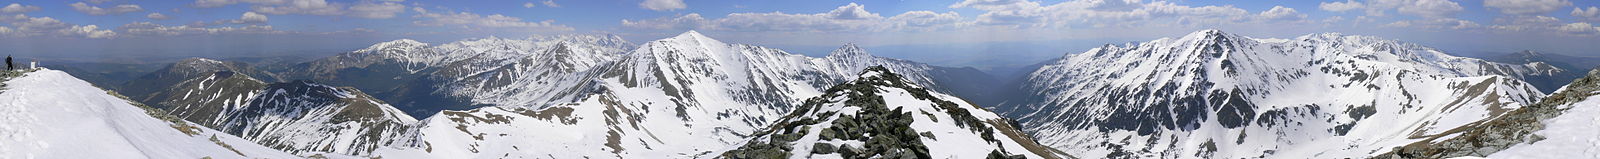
25 26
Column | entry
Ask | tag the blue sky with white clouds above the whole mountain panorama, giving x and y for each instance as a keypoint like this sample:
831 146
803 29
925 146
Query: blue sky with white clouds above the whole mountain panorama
951 33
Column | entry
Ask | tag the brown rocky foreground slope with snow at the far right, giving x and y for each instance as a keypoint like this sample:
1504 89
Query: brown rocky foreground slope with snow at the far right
1561 126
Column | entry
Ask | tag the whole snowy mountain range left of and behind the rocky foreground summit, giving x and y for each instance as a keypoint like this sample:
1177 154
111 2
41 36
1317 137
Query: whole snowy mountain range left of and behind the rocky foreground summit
492 92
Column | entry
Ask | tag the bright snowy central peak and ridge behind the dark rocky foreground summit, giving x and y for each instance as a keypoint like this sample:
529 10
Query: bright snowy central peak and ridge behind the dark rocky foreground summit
681 97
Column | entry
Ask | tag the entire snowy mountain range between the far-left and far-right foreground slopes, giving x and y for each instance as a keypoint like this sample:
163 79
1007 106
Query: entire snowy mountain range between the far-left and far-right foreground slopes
1207 94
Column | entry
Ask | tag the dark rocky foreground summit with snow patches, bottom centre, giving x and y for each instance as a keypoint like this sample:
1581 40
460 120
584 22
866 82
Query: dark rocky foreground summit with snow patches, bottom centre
886 116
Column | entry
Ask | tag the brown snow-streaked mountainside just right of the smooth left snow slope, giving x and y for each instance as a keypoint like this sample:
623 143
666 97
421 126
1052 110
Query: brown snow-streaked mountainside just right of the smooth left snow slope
302 116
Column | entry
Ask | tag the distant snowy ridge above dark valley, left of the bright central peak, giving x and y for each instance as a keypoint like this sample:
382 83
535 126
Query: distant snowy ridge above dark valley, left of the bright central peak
423 79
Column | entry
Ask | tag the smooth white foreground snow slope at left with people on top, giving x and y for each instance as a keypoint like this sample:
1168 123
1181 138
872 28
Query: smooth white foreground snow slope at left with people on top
57 116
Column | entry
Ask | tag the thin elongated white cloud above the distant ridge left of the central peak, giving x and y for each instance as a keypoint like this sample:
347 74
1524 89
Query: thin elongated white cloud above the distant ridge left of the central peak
478 22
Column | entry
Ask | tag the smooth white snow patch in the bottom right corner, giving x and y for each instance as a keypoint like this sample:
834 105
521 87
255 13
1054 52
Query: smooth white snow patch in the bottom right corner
1572 136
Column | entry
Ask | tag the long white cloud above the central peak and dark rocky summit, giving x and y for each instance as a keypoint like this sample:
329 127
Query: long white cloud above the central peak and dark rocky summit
847 18
